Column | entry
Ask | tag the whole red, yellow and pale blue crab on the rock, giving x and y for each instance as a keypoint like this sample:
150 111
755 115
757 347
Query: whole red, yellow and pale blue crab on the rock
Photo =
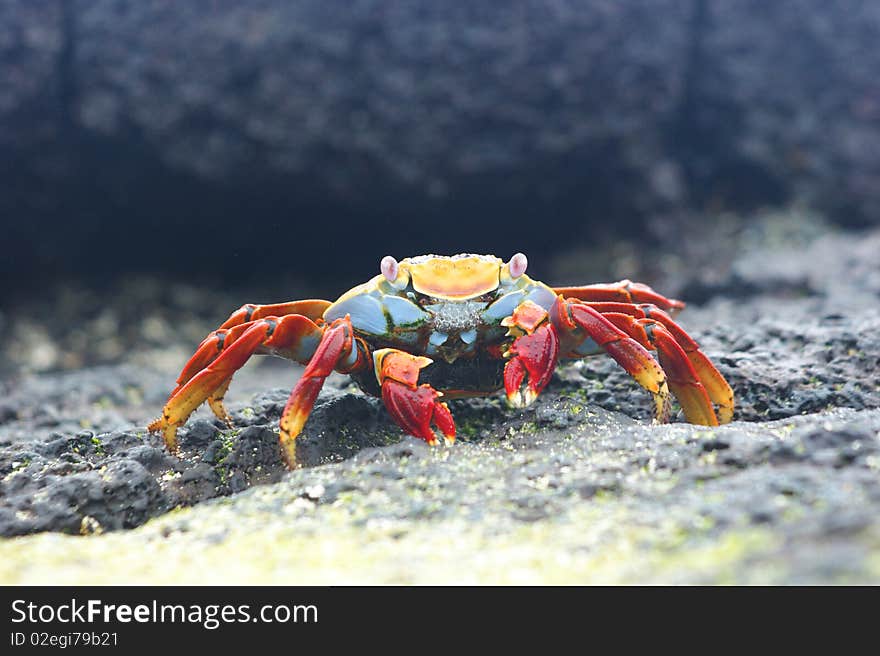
432 328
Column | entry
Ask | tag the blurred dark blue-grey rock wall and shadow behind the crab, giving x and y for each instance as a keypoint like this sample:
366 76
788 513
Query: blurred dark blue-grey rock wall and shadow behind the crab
283 145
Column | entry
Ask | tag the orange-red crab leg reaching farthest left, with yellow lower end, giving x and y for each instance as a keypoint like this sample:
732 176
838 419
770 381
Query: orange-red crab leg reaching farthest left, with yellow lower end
275 334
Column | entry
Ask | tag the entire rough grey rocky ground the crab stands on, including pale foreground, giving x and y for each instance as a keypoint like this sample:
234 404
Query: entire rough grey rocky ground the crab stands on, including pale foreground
580 487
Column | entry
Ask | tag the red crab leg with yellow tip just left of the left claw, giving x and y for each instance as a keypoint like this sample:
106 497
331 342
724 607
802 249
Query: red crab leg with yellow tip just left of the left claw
337 350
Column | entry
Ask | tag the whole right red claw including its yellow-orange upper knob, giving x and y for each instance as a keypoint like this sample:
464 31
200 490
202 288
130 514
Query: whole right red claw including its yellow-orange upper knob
534 354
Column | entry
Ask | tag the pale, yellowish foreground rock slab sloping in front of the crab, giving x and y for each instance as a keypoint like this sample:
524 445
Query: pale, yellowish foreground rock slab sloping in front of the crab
575 495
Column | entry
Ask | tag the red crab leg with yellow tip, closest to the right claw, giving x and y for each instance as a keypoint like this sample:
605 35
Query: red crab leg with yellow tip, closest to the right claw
570 315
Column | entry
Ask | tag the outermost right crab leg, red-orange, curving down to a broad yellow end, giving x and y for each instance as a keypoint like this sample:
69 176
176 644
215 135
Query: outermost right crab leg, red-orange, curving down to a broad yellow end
716 386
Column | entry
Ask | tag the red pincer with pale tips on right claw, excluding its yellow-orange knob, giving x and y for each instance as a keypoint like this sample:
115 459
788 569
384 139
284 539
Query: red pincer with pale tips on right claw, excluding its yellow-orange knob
533 355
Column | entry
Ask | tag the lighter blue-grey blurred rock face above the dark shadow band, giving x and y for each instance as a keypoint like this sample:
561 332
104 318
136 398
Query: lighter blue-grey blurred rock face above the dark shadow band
427 96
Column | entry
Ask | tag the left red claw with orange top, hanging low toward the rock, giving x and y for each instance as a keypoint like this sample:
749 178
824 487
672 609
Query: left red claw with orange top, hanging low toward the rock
414 407
